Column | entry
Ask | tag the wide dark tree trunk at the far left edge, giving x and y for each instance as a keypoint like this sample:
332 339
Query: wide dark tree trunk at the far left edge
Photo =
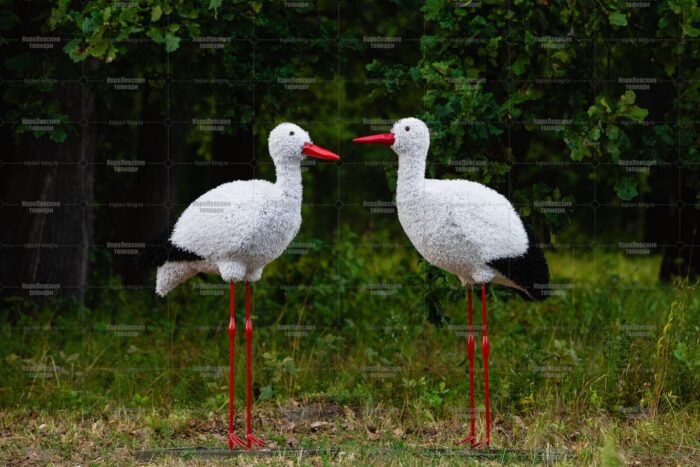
48 244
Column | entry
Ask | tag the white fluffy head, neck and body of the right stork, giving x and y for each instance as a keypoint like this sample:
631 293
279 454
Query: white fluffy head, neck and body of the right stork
456 225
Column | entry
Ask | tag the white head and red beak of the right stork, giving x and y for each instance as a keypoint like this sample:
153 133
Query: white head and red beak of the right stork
409 137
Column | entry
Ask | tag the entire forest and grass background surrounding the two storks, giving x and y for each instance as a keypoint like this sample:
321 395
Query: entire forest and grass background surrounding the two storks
116 115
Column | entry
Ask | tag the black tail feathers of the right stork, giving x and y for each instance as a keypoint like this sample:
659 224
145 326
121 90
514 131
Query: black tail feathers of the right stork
529 271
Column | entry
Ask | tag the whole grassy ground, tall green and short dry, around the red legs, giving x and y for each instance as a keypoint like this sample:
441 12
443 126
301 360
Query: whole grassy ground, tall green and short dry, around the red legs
605 371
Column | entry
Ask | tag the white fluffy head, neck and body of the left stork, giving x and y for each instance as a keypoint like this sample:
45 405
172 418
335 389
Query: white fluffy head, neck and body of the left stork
240 227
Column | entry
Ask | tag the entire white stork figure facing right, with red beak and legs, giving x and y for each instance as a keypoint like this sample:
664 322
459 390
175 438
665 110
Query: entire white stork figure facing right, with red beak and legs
235 230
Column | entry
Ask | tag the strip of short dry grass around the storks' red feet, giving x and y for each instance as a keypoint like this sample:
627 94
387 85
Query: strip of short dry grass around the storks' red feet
348 436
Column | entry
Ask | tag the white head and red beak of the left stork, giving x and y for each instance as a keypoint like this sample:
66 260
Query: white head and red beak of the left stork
289 142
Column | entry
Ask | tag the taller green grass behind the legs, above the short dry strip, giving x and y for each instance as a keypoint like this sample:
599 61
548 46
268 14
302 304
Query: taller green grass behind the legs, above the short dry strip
583 345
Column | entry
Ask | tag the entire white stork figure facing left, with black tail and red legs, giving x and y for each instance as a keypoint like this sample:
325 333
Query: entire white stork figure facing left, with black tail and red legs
467 229
